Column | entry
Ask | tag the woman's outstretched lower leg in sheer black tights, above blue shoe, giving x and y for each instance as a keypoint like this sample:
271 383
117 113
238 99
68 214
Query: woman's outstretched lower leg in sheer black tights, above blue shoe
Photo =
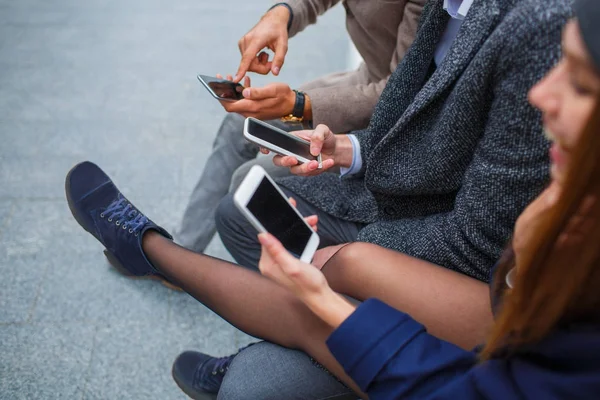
246 299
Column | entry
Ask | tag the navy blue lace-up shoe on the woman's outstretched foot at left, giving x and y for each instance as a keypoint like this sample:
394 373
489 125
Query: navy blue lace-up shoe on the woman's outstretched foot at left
100 208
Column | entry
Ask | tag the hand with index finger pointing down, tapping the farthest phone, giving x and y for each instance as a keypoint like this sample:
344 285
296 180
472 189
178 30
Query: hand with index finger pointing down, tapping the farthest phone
270 32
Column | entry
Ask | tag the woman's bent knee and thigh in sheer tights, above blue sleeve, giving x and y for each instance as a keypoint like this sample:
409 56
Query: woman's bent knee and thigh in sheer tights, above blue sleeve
451 305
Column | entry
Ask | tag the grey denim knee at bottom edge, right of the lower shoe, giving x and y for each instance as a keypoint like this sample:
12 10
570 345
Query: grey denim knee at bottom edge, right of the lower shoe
266 371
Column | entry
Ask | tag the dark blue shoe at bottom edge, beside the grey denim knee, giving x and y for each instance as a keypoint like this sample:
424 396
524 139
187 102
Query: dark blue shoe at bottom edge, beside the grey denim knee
200 375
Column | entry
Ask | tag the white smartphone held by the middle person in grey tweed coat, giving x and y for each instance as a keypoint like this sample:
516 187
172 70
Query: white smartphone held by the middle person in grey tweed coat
278 140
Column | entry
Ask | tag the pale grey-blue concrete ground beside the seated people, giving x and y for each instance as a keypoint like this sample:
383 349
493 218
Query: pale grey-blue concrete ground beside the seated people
112 81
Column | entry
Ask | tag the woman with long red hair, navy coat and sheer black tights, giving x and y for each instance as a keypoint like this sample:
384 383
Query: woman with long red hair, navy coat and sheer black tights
545 342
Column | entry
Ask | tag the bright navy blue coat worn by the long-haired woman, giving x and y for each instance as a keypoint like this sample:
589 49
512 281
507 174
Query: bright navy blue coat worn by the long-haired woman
391 356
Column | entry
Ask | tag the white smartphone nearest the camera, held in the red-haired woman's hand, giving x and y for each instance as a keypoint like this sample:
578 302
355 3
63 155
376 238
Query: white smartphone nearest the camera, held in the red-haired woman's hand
268 210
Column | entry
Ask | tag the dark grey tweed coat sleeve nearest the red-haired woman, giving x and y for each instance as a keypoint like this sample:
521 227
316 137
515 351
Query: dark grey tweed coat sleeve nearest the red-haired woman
509 168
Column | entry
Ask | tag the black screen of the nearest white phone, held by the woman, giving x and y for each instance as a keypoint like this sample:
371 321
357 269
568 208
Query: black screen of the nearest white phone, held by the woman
279 218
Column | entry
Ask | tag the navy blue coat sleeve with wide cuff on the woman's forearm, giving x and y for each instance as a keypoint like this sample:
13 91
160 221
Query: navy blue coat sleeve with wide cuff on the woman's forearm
390 355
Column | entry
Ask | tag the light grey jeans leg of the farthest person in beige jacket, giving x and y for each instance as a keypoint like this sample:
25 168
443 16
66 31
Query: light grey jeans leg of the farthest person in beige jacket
230 152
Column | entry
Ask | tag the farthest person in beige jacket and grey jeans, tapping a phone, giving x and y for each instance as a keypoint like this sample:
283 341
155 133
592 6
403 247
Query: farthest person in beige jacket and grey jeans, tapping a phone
381 32
